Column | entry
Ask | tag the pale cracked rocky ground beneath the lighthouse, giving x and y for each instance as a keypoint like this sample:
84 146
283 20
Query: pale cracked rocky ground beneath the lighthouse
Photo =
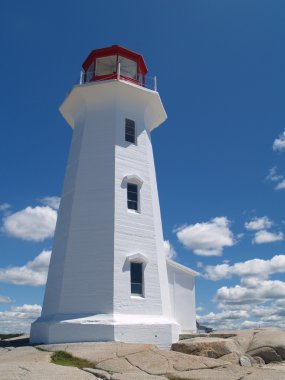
240 355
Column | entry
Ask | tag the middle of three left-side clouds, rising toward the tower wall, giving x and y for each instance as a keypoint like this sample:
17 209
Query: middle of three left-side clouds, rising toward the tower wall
34 273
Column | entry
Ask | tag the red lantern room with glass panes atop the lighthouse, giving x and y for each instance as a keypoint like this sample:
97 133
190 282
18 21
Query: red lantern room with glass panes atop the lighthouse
114 62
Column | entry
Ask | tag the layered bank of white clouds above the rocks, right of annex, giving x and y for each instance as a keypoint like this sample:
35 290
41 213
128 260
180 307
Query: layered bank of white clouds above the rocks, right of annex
256 302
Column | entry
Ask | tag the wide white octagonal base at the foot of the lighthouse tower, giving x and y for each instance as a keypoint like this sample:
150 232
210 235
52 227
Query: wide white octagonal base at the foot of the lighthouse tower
102 328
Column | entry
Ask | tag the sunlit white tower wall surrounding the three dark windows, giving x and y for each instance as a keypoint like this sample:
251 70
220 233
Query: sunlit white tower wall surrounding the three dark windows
137 232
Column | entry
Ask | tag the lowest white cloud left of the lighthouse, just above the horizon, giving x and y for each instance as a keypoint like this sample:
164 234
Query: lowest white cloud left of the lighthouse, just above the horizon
18 319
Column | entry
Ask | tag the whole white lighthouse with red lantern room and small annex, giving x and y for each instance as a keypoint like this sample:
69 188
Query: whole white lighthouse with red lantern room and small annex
109 278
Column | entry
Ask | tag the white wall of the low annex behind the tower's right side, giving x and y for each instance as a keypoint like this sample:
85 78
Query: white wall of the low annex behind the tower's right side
182 295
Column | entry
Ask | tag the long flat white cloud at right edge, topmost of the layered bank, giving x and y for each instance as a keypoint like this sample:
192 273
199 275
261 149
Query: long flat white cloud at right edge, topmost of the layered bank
257 268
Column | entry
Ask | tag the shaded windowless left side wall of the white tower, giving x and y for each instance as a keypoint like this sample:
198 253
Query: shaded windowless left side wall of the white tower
83 253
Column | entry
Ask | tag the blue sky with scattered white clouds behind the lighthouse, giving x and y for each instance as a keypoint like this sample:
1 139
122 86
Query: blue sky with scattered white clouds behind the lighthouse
220 156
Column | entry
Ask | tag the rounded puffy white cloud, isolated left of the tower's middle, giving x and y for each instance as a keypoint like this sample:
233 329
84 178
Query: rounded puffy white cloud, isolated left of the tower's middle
35 224
